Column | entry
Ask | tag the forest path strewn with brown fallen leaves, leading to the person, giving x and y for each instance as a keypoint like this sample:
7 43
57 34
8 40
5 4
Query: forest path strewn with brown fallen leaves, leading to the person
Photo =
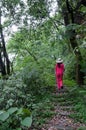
62 119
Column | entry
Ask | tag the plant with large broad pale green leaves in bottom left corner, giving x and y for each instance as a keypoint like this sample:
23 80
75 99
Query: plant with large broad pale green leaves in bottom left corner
15 118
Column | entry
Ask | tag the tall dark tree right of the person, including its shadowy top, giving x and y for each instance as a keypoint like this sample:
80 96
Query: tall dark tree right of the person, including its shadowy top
73 16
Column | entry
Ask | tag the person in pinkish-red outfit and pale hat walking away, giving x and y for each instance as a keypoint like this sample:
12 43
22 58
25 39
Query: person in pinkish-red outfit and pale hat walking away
59 71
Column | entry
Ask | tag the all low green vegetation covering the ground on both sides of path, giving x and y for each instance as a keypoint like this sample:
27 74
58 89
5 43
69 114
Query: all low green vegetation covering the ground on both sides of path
39 104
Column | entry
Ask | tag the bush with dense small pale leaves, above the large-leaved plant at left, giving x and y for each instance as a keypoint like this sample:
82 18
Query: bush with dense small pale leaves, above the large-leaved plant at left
13 92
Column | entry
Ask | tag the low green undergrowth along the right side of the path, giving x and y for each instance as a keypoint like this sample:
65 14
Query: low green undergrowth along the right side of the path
78 95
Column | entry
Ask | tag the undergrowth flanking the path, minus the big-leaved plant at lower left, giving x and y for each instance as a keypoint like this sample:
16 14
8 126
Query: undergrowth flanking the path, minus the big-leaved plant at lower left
40 101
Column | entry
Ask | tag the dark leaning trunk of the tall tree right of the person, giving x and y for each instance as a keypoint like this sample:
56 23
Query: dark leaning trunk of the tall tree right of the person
70 19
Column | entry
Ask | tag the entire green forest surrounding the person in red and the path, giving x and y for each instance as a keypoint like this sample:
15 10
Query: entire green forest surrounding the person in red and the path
28 58
